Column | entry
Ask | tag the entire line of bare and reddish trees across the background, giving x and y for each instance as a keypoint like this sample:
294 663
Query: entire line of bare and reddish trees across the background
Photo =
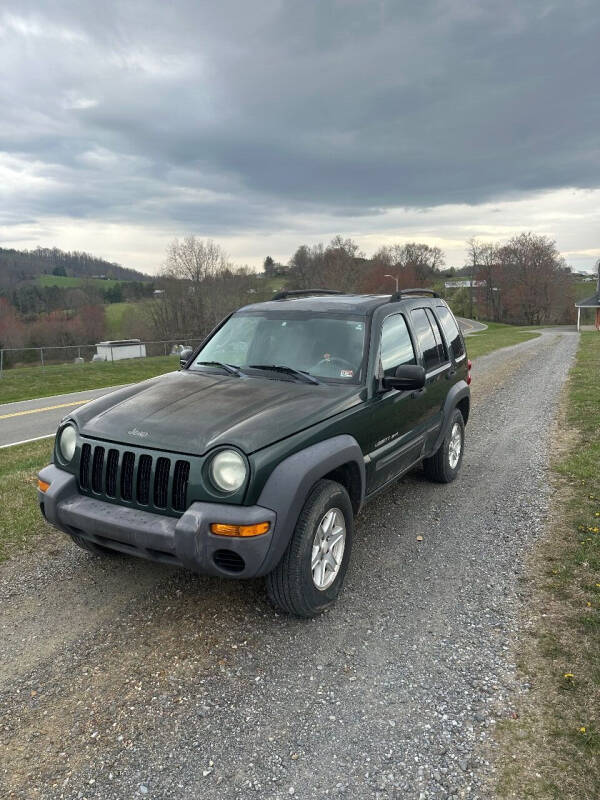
524 281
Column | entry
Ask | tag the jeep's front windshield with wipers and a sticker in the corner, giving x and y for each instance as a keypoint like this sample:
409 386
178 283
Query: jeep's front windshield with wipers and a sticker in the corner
327 347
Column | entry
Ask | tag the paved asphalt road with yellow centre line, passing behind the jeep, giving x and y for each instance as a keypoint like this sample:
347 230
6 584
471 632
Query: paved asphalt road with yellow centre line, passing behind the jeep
35 419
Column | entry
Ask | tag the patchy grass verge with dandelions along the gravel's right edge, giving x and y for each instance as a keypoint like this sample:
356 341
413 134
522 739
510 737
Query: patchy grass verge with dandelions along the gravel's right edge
552 751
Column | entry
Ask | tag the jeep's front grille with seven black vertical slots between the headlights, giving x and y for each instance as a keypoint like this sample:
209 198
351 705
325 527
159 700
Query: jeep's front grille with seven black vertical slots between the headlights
138 478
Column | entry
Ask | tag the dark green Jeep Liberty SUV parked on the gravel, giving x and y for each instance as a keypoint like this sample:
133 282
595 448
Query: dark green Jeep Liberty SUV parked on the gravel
256 456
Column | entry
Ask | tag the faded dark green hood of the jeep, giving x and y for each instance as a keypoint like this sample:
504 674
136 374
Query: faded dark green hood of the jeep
192 412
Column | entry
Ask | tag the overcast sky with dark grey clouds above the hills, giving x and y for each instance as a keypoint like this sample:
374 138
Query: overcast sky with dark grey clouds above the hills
268 124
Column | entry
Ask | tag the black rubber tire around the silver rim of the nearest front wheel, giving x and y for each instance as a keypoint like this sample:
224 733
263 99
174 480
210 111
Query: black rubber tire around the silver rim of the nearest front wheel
290 587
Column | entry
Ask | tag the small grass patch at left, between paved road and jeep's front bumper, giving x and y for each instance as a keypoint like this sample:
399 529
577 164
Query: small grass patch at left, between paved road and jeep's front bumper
20 519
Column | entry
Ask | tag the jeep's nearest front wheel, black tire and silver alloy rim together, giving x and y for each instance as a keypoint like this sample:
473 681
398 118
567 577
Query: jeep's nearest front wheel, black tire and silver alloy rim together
311 572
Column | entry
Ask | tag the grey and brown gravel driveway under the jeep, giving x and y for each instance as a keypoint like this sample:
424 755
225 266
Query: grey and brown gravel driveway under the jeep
121 679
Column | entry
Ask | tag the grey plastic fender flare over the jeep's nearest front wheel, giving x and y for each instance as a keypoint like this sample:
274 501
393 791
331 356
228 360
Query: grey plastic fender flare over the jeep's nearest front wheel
289 484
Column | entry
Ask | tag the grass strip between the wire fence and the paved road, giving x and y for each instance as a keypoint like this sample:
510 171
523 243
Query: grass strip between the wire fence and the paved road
25 383
